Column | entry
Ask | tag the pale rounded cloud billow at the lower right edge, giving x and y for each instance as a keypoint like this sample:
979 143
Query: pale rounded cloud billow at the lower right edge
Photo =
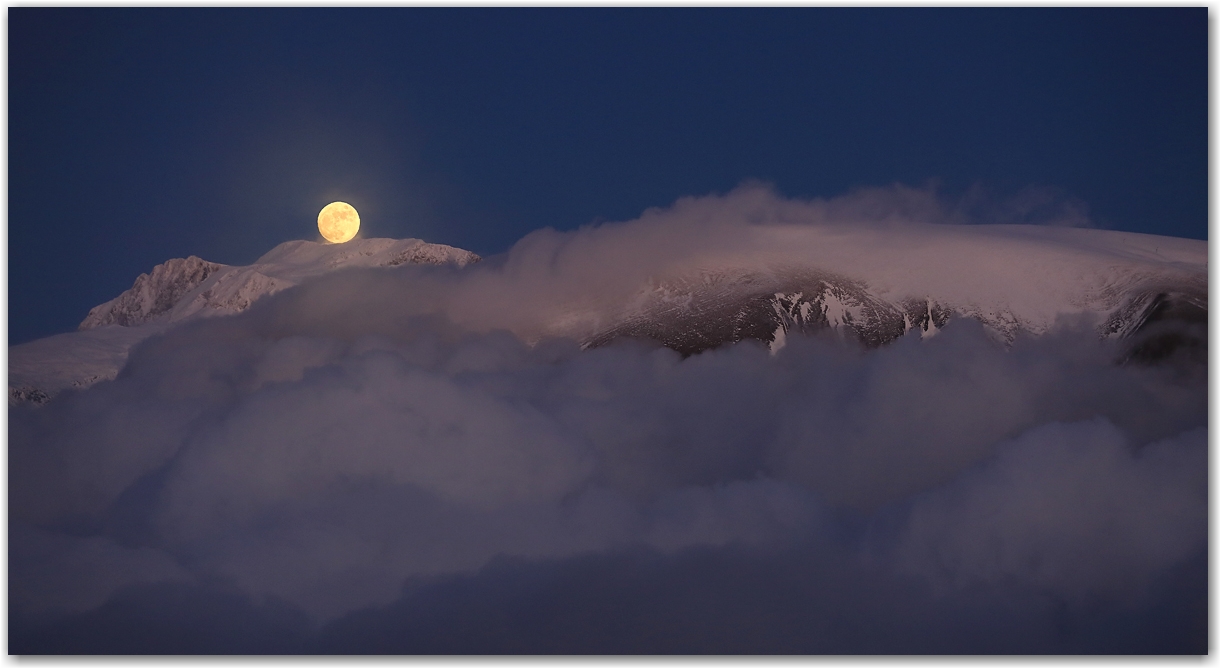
1073 509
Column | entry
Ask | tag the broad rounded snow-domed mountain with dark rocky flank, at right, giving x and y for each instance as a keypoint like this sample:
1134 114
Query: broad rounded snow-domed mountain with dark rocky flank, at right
874 285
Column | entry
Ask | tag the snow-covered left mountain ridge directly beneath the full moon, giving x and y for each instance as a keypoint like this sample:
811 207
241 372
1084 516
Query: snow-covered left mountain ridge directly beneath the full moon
190 288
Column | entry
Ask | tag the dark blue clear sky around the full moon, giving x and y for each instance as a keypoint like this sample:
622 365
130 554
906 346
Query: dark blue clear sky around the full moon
137 136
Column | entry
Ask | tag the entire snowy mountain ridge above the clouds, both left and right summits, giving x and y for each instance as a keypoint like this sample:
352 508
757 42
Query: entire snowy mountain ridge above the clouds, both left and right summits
866 283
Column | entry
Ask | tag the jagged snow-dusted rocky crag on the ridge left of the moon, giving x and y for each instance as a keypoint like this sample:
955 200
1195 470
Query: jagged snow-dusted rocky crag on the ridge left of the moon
153 293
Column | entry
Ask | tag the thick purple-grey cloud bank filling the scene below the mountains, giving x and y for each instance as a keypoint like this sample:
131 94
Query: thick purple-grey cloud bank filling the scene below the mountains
403 461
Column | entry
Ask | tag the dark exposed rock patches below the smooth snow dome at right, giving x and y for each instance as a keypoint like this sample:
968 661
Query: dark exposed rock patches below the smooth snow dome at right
712 310
